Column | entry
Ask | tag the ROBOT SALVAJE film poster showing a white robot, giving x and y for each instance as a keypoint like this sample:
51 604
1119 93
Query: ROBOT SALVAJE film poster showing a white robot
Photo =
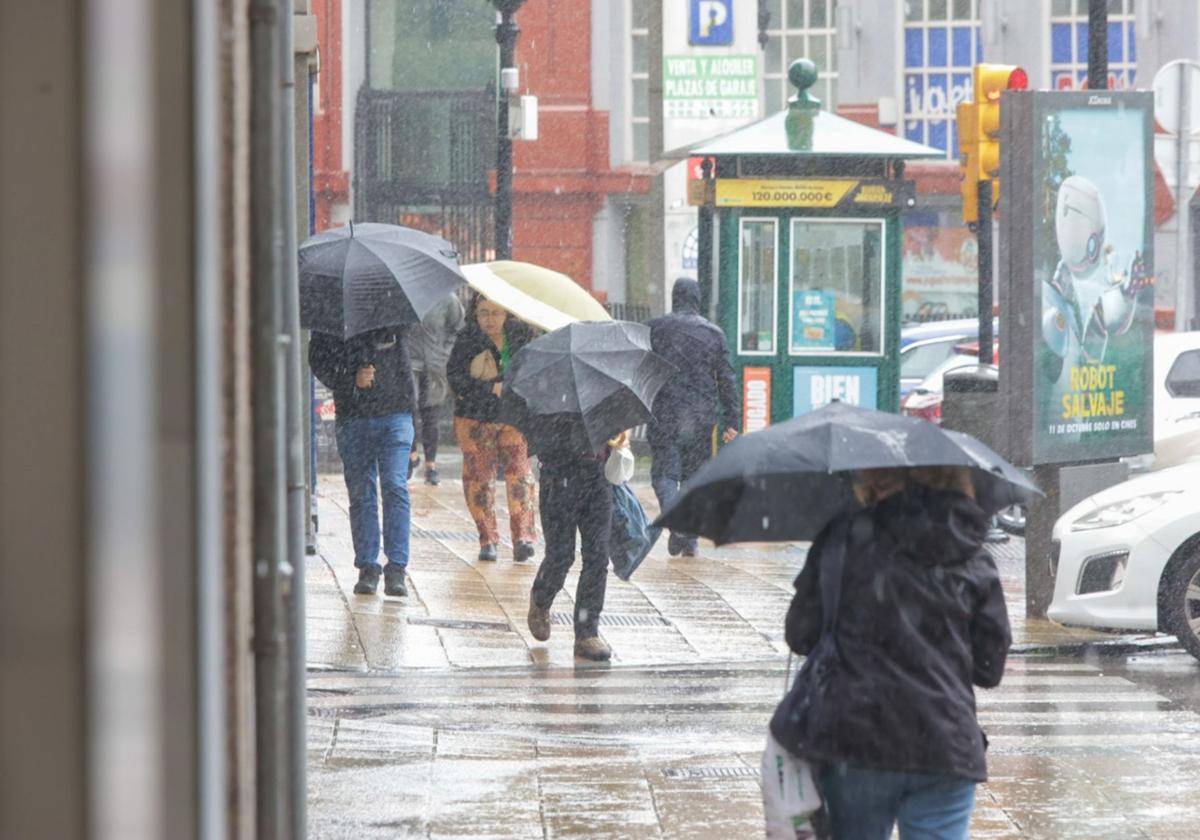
1094 278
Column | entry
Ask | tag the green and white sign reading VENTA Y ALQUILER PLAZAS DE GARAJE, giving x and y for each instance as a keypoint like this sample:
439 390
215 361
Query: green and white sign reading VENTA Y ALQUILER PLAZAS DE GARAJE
723 87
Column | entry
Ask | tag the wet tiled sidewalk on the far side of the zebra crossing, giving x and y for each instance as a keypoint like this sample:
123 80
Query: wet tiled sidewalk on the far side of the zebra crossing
727 605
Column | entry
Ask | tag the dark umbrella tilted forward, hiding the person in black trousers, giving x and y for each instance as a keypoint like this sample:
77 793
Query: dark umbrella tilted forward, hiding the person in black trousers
589 380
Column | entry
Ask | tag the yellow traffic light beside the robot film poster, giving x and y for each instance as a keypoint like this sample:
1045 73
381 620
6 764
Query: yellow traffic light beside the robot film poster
979 125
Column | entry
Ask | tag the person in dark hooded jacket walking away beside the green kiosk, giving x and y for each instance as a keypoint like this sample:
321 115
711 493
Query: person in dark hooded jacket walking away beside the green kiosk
691 405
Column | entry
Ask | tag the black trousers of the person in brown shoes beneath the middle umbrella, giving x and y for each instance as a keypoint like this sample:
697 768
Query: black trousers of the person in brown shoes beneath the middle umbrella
575 499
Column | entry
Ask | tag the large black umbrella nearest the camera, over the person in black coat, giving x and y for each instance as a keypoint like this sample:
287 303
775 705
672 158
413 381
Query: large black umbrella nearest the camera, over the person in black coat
788 482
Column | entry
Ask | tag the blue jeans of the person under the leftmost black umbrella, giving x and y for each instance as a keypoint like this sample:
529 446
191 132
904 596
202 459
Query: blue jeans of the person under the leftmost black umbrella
376 449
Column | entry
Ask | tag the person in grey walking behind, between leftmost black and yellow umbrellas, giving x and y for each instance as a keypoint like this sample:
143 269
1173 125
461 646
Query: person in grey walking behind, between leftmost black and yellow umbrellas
430 344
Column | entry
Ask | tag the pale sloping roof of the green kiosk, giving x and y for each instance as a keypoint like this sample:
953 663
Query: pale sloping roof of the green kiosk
832 136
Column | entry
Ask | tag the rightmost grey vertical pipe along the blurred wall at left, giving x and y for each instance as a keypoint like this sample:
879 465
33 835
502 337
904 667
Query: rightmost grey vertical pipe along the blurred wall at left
293 563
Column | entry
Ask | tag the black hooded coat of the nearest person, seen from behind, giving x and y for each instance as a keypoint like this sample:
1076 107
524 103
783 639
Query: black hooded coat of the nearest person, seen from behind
922 619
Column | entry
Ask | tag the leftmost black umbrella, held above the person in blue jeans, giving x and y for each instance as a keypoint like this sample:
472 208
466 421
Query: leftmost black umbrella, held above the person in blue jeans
365 277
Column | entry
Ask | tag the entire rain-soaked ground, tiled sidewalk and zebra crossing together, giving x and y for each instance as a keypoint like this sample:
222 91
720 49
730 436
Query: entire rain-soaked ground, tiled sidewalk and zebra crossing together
439 716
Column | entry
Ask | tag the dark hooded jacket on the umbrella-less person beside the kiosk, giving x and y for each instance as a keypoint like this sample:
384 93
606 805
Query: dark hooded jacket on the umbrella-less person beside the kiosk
705 391
